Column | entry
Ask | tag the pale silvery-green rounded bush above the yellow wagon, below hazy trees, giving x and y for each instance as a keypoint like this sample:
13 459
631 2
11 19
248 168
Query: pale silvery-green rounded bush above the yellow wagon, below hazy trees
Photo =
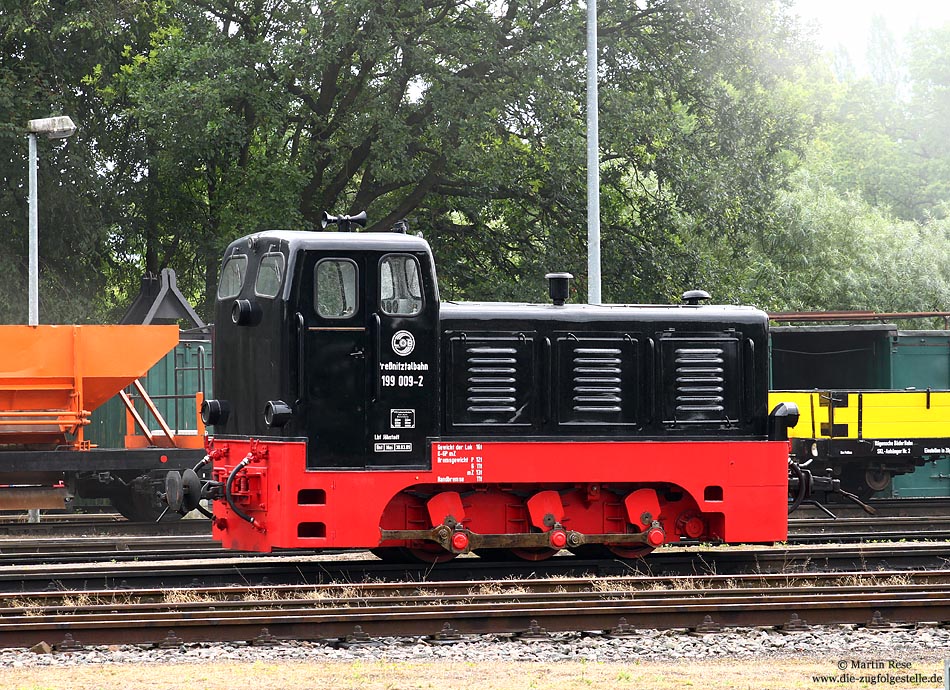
838 252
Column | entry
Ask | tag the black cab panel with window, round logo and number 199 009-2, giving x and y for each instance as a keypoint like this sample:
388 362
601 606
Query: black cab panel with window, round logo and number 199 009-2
404 395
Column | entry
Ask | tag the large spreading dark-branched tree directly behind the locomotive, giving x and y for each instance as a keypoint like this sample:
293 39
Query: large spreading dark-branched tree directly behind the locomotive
211 118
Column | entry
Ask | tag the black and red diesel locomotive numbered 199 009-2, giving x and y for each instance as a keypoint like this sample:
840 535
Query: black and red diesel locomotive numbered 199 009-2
355 409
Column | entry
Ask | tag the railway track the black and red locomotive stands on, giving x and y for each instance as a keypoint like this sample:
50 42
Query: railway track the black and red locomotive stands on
229 569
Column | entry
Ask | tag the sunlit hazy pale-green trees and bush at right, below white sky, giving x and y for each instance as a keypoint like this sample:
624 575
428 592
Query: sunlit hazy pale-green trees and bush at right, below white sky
863 222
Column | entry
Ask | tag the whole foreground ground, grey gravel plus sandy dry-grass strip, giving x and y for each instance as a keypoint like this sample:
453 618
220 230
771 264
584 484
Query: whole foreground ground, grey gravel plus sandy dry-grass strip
741 659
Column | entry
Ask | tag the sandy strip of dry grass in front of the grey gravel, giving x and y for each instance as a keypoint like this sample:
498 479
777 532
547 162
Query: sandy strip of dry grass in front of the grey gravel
725 674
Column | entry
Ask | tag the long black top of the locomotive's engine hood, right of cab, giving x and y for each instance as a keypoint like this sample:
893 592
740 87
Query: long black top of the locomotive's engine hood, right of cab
598 312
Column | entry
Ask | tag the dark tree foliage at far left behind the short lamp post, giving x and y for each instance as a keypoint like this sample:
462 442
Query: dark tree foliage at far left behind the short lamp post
46 49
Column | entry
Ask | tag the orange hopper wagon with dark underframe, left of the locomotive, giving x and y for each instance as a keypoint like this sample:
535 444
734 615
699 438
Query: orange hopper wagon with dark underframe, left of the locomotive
52 377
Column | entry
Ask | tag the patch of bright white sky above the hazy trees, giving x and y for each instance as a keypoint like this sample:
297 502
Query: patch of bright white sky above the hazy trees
848 22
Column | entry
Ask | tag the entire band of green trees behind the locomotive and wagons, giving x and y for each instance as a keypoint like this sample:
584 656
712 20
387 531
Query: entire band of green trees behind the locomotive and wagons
732 159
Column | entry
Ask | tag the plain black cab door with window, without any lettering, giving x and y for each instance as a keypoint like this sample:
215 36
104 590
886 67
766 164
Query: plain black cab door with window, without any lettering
333 346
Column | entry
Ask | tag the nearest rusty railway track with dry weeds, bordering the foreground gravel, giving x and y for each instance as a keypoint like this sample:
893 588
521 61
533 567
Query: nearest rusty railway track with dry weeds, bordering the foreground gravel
446 612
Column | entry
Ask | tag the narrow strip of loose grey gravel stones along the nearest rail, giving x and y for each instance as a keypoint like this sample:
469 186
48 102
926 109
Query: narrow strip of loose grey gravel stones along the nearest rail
646 645
